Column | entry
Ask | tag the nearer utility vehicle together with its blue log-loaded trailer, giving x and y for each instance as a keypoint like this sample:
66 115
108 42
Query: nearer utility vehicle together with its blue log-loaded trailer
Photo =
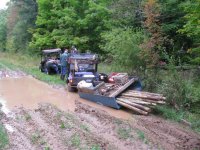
119 90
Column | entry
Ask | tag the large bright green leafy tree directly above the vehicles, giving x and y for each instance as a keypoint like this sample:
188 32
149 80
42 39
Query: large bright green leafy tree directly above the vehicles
66 23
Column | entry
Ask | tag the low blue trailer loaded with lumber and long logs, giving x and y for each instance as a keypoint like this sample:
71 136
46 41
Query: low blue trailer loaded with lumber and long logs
123 92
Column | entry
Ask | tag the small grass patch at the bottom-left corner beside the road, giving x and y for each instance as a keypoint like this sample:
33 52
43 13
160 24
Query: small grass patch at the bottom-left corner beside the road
4 141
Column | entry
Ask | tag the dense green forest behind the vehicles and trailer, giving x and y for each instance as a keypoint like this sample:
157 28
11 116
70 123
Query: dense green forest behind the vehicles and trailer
158 40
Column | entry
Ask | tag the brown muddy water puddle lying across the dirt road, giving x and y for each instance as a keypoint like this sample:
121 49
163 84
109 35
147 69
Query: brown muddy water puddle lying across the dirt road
29 92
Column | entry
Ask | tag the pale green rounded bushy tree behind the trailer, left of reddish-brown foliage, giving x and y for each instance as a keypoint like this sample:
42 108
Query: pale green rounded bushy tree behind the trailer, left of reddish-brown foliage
123 47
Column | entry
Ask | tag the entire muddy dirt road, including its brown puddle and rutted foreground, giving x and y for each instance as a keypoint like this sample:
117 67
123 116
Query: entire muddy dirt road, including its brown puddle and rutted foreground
64 121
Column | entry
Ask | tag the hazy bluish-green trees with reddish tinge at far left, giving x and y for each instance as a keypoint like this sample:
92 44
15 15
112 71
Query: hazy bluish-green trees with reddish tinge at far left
20 19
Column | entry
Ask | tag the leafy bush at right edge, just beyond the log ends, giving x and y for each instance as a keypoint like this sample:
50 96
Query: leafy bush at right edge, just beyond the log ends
180 93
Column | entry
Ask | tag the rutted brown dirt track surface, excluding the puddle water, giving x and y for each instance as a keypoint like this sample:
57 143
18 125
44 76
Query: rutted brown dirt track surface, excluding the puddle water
88 127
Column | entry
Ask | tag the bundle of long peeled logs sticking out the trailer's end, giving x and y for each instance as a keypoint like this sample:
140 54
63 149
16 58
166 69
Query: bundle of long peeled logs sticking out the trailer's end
140 102
